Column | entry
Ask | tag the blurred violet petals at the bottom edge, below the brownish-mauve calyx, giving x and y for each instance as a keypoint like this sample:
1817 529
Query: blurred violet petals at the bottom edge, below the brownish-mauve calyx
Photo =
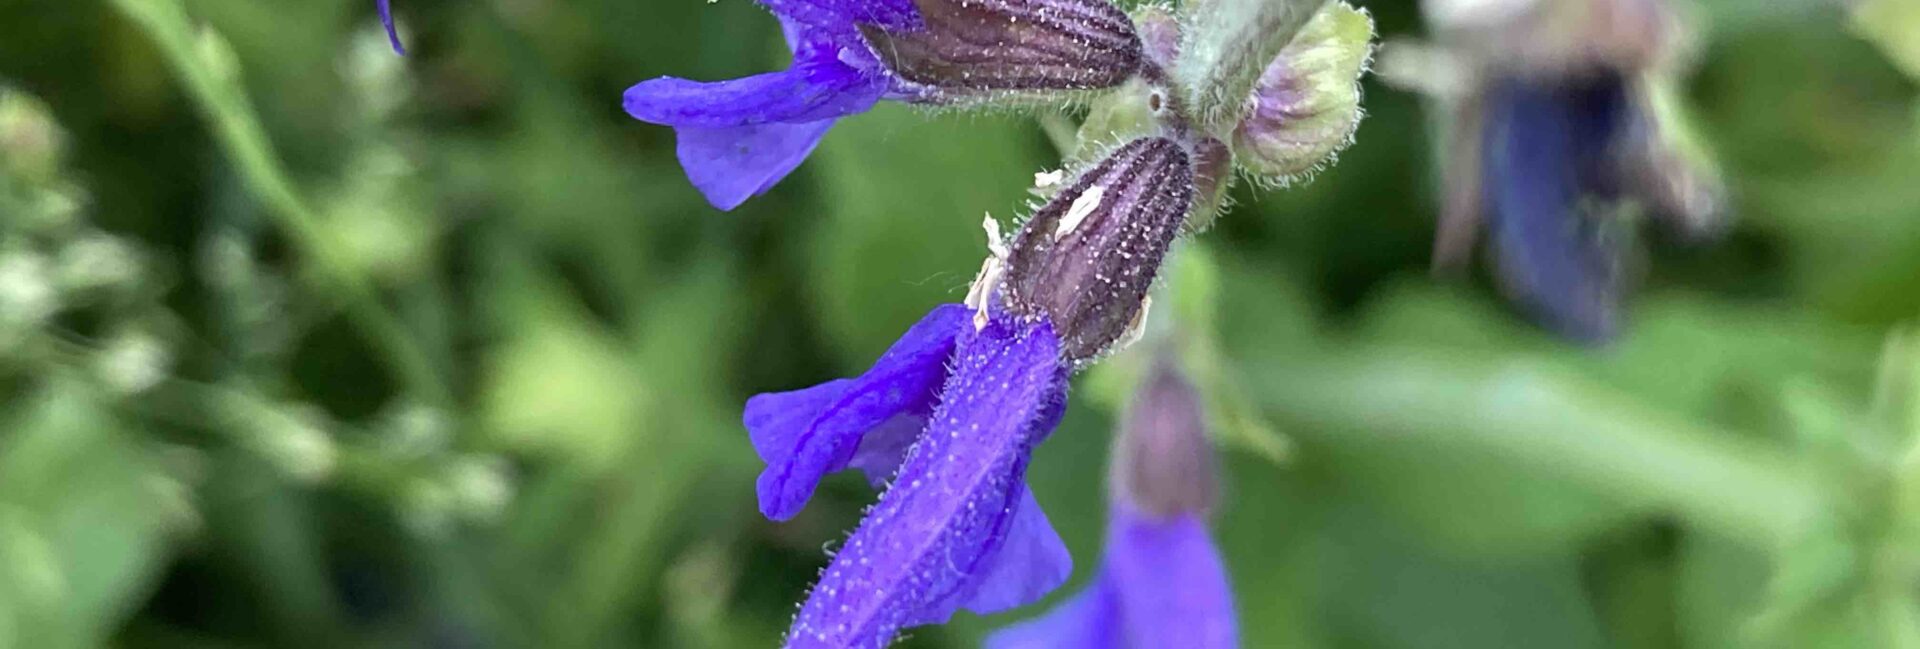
1161 585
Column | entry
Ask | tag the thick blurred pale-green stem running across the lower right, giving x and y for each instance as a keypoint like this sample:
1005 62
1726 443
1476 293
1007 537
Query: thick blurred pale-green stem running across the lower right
1533 418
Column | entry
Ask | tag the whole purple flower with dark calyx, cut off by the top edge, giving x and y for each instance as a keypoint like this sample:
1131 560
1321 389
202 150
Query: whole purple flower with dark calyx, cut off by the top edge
736 139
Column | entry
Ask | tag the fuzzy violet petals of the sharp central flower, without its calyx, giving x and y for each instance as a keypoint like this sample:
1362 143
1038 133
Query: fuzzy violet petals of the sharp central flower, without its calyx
959 527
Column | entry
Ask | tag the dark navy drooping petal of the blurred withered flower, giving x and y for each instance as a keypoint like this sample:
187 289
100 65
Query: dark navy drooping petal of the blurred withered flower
1548 162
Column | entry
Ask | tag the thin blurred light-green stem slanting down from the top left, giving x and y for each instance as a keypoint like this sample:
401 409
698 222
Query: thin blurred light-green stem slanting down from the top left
206 68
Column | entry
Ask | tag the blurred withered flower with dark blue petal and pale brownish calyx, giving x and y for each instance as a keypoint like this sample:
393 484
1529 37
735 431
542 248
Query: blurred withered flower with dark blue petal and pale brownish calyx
1562 135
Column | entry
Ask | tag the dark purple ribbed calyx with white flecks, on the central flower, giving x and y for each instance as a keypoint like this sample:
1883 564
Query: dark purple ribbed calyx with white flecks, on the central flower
1090 256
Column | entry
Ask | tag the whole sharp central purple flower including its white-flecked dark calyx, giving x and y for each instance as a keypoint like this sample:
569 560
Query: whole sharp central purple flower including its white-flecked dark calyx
951 414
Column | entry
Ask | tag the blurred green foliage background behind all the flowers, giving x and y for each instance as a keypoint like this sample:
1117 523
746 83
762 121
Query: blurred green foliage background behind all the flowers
304 345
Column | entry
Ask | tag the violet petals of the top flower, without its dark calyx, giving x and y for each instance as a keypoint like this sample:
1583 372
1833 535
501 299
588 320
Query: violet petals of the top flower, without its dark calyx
736 139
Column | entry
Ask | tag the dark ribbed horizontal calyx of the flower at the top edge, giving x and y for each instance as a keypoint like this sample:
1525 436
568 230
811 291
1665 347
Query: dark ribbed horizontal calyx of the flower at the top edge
1013 45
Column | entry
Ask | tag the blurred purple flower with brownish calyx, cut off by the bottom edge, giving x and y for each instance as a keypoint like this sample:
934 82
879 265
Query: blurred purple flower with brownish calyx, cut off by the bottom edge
1163 583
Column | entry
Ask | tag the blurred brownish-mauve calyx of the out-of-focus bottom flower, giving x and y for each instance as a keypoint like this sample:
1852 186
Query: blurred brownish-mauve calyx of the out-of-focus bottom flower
1163 458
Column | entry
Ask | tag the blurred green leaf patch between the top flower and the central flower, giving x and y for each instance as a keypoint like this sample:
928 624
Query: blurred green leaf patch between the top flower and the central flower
898 229
